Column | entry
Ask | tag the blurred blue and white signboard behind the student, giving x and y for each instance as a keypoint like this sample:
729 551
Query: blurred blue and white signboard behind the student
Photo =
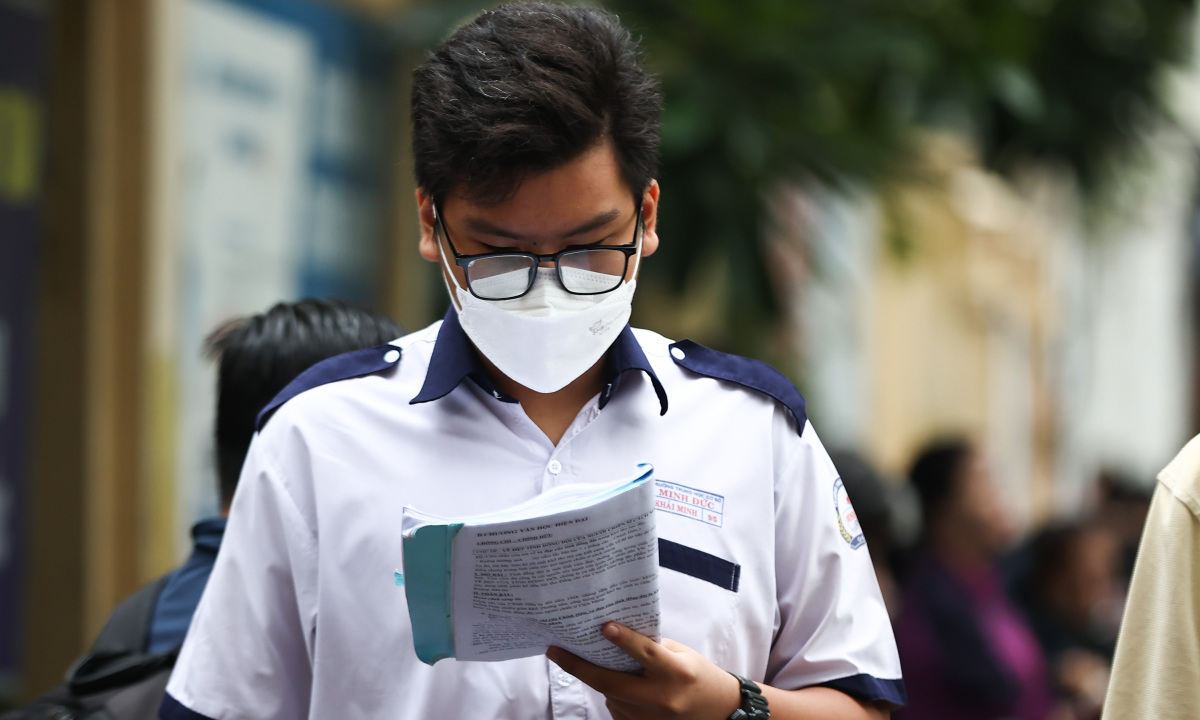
290 145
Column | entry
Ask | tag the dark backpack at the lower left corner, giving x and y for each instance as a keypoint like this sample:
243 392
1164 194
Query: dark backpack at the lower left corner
116 680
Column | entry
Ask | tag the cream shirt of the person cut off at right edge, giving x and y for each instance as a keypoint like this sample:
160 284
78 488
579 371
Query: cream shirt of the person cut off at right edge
1156 671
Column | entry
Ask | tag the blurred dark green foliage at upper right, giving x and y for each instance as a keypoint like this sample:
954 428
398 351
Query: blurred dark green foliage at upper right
763 92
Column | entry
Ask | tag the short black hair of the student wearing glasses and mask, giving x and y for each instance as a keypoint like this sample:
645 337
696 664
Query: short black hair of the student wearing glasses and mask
525 88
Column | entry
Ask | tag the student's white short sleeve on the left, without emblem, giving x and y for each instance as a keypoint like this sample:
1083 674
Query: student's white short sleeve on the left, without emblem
249 650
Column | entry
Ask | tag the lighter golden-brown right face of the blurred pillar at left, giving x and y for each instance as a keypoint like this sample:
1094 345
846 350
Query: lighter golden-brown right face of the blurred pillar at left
115 281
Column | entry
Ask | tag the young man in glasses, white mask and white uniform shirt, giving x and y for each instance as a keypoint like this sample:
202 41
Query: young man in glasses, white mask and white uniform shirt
536 141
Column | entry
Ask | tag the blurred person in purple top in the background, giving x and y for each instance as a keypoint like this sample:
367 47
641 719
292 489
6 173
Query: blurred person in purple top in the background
965 650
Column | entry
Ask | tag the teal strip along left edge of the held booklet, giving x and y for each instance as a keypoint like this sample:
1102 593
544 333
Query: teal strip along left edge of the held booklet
428 559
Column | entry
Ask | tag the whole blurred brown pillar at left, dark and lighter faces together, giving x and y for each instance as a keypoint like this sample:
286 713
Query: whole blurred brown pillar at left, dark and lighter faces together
87 448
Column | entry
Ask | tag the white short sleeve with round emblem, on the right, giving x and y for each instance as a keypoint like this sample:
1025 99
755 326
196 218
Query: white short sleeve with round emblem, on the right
833 626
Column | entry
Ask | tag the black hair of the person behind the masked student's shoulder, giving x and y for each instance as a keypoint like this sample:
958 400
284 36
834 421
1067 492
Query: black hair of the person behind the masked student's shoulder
259 356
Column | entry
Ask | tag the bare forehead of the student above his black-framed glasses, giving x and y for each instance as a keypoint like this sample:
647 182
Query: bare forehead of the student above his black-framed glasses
583 188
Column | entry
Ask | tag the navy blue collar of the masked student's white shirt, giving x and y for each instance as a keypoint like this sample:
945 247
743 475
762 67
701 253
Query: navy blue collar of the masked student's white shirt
454 361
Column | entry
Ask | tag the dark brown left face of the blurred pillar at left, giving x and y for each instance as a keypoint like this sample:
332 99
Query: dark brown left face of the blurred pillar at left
55 625
